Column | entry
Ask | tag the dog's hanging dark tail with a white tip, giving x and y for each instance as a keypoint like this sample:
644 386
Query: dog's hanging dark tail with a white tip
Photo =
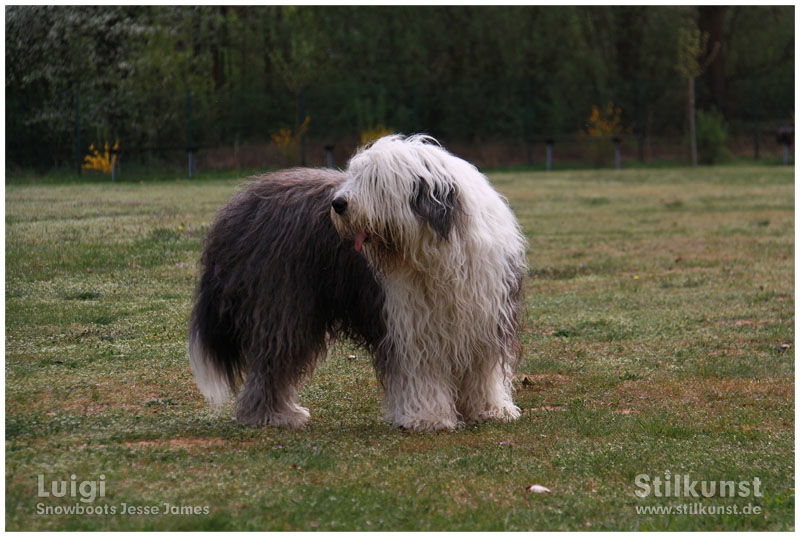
217 362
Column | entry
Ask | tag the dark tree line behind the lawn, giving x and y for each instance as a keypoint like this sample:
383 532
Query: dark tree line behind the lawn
465 74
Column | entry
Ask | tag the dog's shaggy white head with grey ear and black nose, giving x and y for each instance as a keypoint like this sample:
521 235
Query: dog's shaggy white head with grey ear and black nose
400 199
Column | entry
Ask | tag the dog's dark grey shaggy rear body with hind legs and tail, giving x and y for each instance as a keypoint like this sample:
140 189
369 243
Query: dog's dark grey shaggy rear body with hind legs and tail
276 283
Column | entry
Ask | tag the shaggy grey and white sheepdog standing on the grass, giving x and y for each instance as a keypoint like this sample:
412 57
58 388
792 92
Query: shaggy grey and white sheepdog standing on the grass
410 253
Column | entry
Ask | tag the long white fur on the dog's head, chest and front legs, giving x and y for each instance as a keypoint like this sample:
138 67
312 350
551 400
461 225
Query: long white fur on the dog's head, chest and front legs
448 308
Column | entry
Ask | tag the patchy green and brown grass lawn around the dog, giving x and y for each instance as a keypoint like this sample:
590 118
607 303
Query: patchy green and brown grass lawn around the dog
659 338
